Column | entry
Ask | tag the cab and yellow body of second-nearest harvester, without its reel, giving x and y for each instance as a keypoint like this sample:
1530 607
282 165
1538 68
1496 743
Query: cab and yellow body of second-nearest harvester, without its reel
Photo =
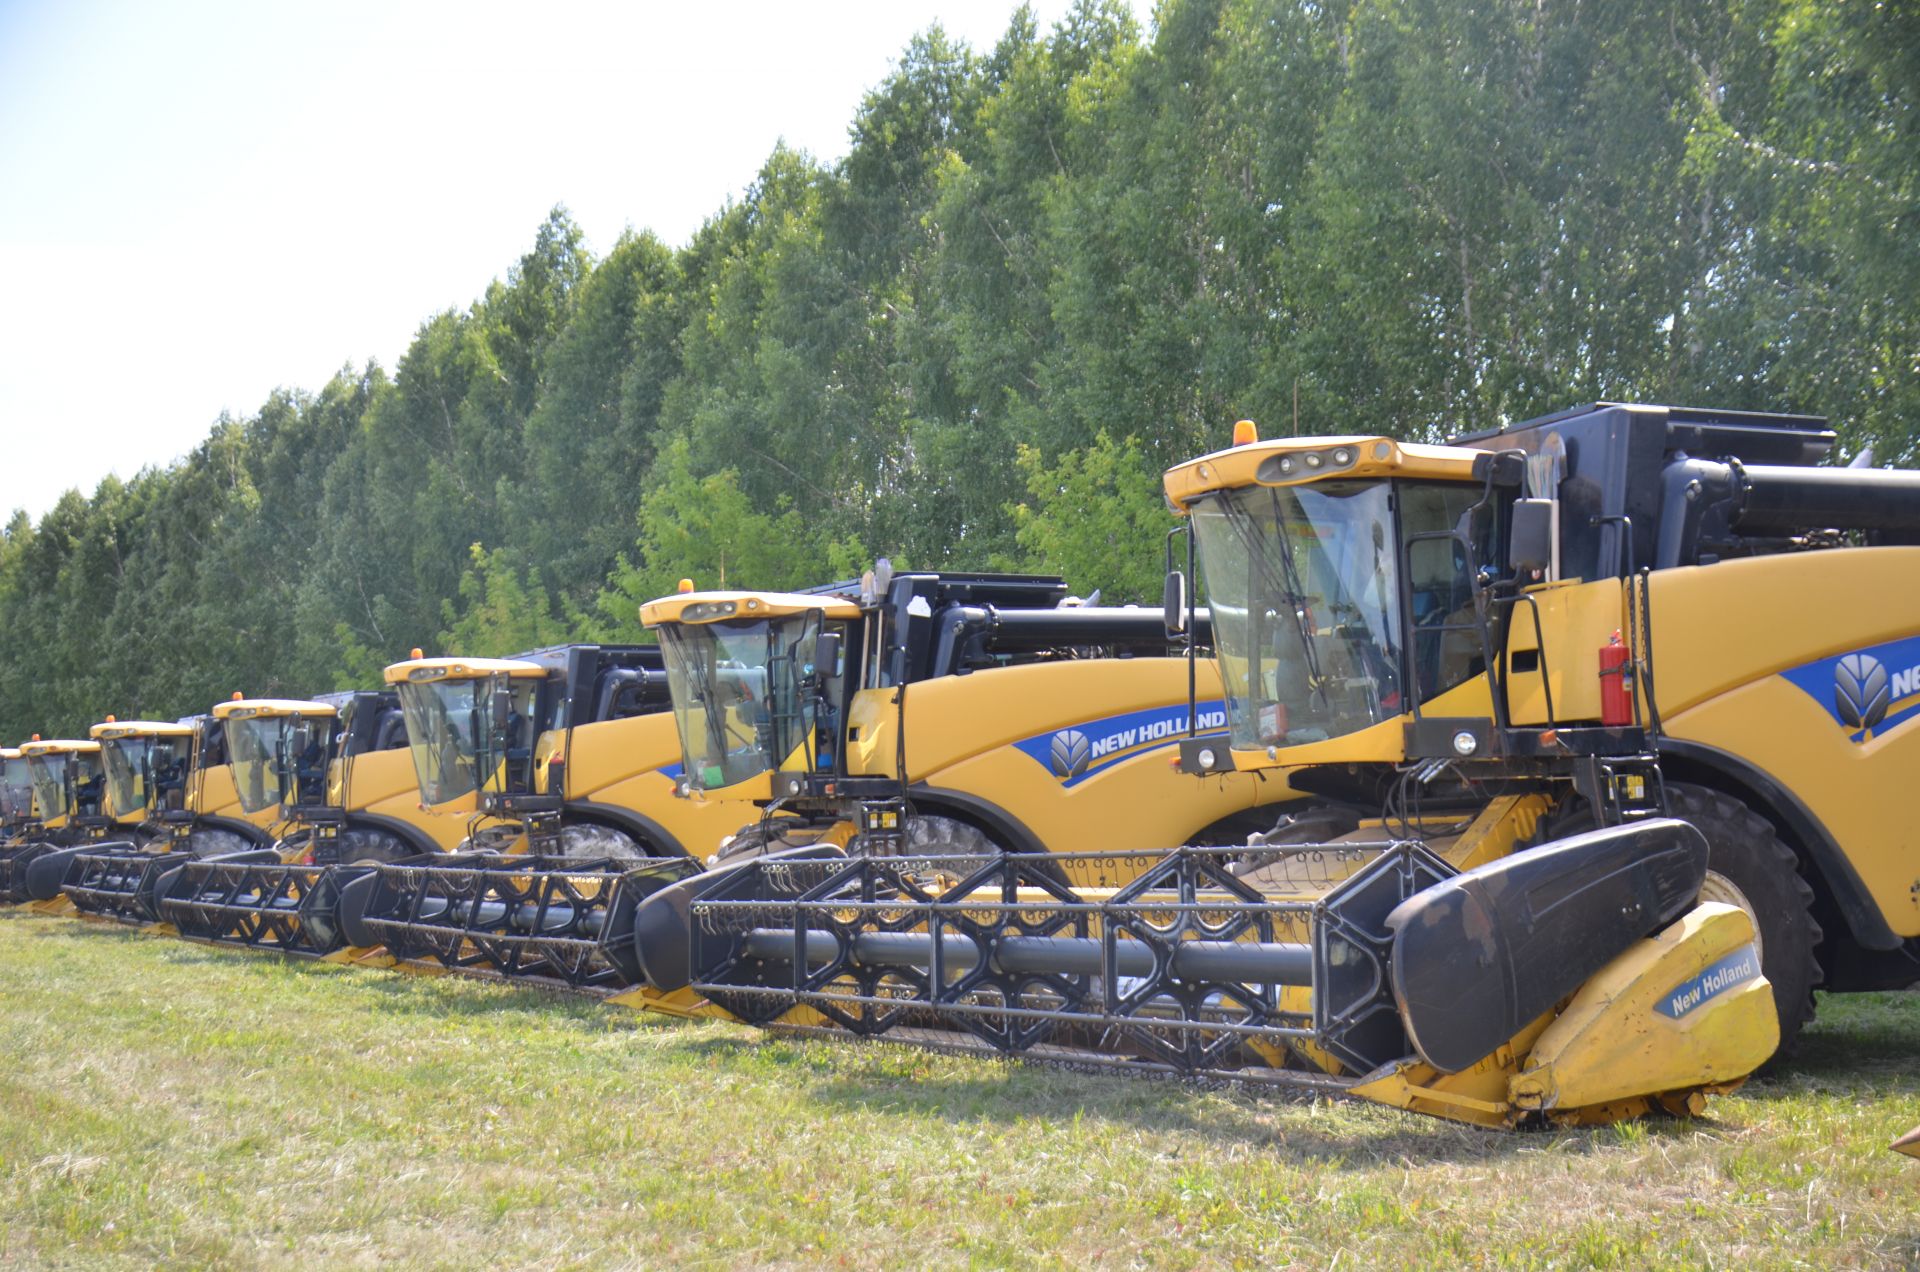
944 714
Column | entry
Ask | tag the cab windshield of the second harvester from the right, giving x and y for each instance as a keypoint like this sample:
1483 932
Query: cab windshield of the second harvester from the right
738 695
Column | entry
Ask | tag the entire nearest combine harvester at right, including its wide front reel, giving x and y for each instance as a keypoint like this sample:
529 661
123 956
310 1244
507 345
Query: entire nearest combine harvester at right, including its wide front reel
1600 720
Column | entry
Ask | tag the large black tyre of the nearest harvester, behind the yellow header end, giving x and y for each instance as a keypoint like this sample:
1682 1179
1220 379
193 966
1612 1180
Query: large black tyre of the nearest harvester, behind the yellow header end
1748 866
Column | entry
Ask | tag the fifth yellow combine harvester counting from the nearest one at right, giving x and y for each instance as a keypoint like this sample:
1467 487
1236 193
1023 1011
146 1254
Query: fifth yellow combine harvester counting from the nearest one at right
170 787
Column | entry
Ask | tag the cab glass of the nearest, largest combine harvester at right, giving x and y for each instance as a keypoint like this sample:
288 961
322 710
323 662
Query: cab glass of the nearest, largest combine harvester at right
1307 597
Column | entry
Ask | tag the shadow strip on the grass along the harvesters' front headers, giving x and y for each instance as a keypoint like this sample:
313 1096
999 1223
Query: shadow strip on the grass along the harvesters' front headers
1861 1044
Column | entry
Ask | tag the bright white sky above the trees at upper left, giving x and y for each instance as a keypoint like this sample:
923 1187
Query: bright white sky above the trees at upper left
206 201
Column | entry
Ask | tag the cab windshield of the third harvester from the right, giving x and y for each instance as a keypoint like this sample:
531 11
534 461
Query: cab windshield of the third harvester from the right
452 741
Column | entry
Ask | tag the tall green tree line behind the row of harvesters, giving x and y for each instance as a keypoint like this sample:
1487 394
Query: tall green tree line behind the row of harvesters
1042 274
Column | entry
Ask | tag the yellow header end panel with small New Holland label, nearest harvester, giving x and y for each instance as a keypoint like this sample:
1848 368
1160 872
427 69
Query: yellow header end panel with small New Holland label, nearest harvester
1679 1010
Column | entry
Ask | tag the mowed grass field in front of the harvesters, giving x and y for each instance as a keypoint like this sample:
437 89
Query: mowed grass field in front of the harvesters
178 1106
